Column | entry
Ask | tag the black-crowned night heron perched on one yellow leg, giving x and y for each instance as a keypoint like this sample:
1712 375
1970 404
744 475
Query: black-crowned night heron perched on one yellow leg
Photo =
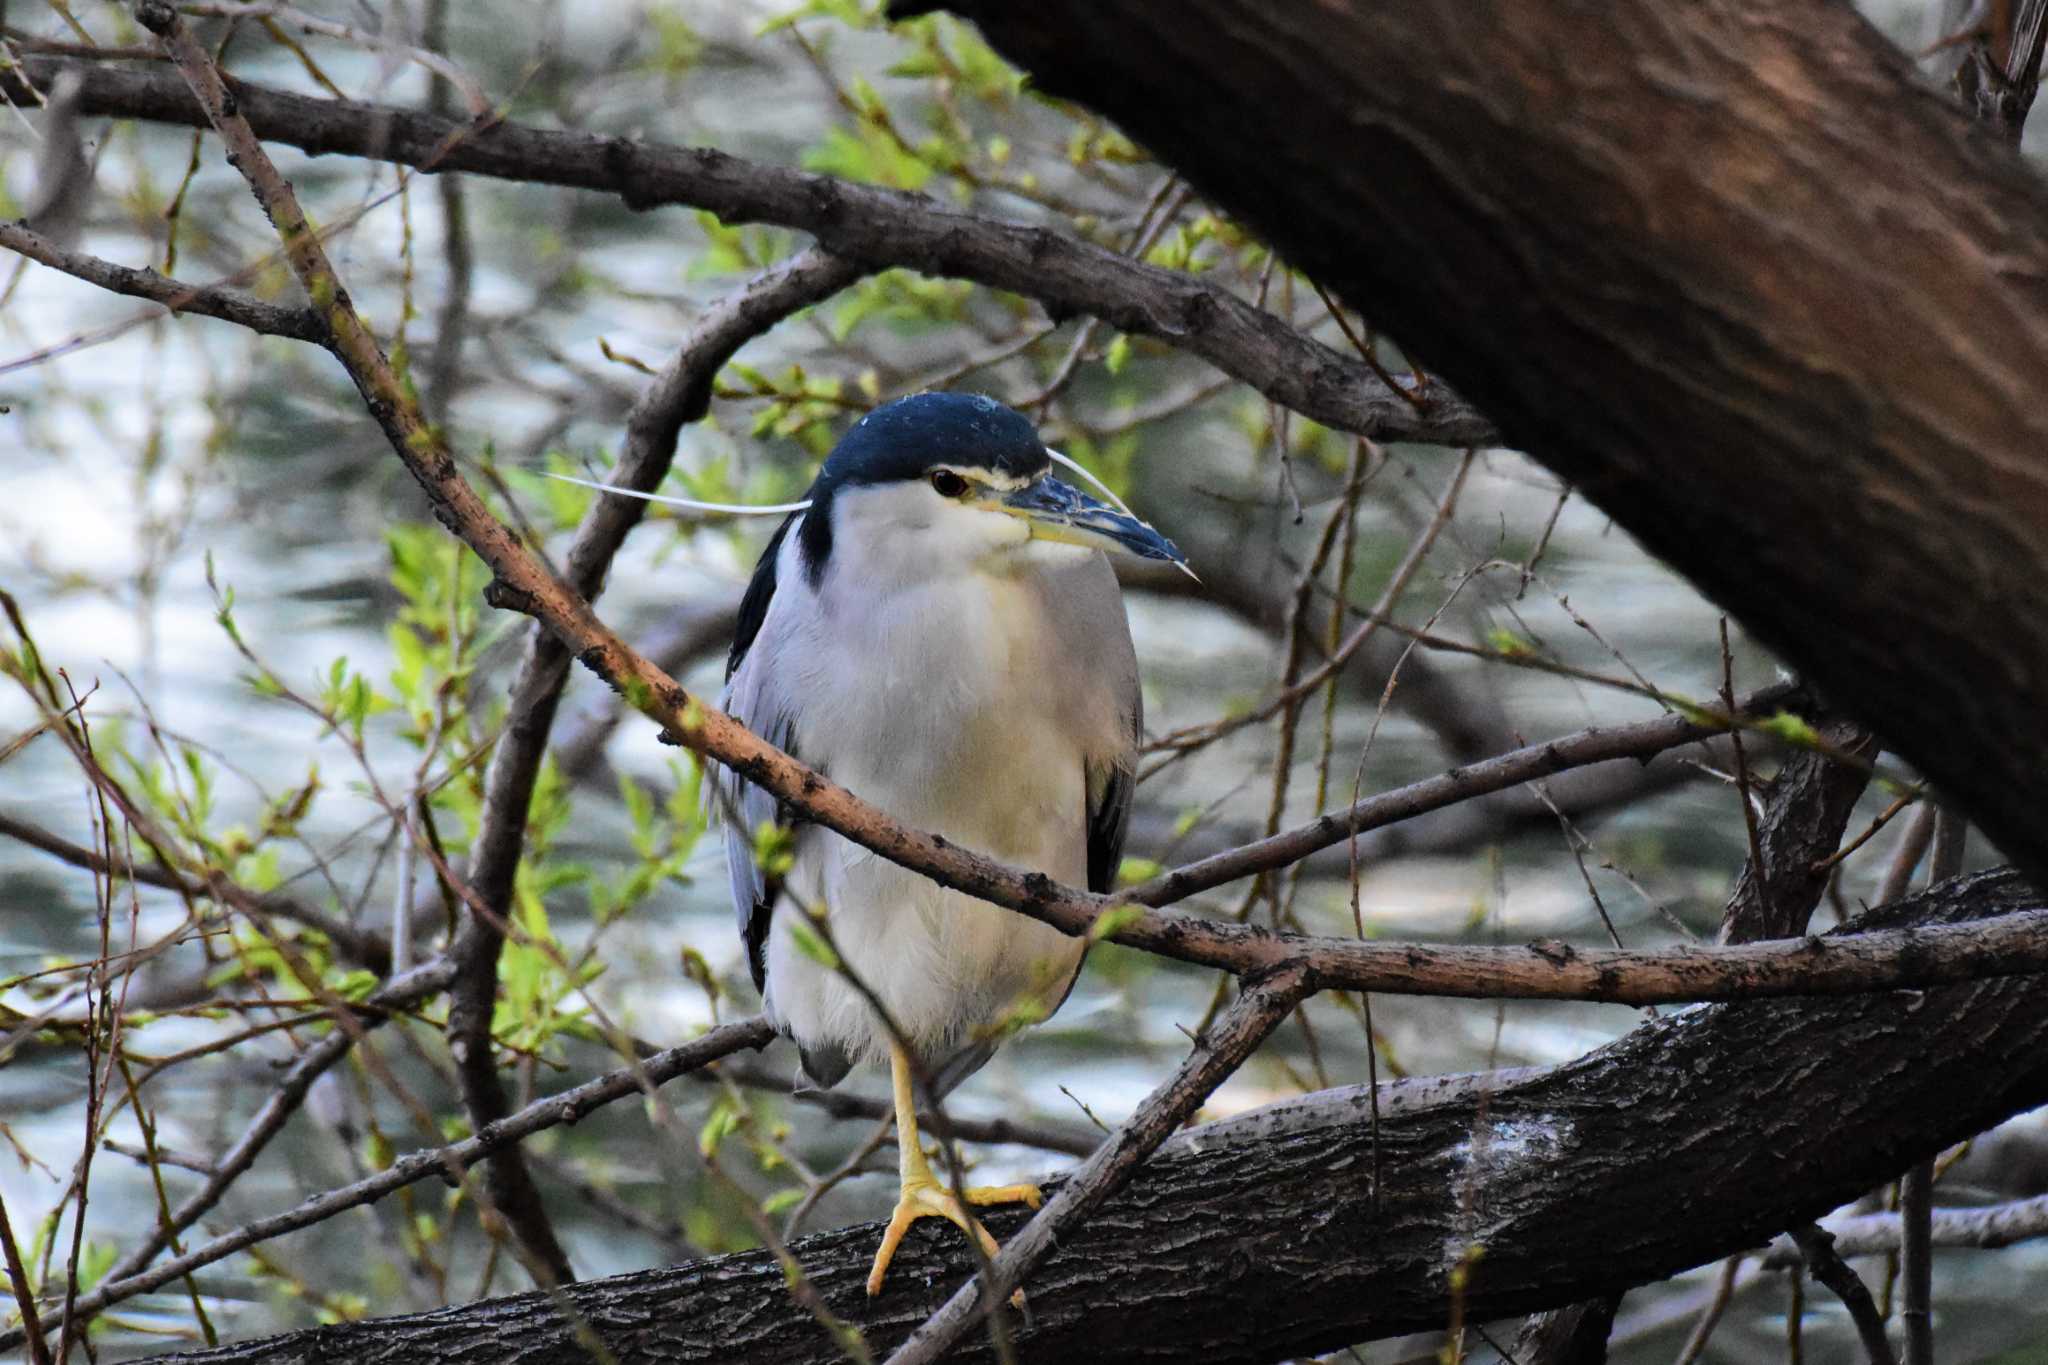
939 631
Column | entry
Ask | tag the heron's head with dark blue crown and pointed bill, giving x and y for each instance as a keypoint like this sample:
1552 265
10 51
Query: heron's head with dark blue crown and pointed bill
945 484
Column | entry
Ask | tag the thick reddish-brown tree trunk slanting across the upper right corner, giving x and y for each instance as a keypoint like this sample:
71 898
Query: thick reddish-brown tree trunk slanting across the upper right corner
1732 267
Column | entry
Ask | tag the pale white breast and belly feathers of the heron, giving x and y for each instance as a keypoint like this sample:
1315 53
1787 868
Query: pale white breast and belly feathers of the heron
959 707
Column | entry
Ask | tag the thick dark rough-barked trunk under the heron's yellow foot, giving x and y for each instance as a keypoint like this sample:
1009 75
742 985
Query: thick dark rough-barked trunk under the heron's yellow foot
1289 1233
